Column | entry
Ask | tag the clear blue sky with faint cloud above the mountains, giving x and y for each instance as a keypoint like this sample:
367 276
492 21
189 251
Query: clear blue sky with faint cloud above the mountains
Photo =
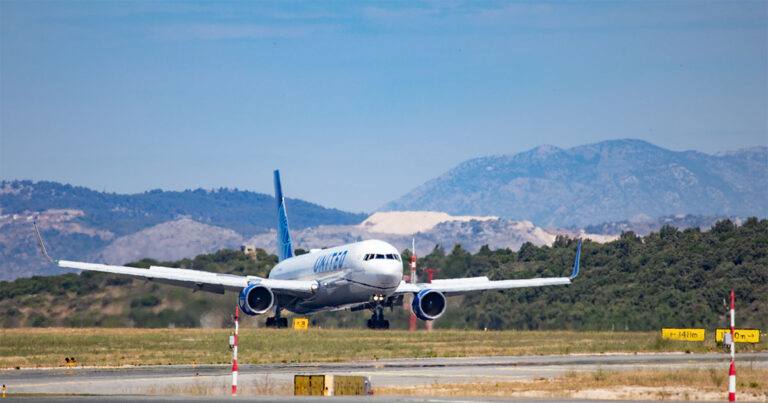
358 102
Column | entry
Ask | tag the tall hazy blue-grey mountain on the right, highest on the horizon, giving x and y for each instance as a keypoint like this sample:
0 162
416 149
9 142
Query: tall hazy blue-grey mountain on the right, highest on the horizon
604 182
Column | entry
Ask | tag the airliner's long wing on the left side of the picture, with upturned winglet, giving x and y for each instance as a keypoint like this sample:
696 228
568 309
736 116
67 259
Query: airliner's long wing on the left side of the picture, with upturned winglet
195 279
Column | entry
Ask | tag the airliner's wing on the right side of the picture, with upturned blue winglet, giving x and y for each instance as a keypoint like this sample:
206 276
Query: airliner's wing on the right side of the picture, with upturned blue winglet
460 286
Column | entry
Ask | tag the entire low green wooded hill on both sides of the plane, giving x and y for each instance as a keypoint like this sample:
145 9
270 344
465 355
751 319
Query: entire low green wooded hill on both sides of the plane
668 278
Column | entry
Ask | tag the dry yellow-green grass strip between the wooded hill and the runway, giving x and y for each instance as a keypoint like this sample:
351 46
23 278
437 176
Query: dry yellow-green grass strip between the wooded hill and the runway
47 347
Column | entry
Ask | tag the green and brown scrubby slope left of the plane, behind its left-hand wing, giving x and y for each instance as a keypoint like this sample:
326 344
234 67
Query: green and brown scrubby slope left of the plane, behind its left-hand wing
98 299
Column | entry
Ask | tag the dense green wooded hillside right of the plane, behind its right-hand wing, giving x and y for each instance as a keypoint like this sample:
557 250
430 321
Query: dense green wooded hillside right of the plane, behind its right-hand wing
670 278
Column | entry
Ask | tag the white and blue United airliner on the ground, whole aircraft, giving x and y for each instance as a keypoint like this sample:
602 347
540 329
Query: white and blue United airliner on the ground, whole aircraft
356 276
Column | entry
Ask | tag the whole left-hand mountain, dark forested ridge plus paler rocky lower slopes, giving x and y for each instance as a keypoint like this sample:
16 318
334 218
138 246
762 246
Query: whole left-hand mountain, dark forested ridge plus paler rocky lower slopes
82 224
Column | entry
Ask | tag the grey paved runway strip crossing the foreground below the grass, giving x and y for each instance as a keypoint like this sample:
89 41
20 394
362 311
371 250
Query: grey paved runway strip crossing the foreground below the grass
257 380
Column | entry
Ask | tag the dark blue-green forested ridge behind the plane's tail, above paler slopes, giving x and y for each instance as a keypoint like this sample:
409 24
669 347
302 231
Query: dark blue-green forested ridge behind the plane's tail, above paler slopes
242 211
